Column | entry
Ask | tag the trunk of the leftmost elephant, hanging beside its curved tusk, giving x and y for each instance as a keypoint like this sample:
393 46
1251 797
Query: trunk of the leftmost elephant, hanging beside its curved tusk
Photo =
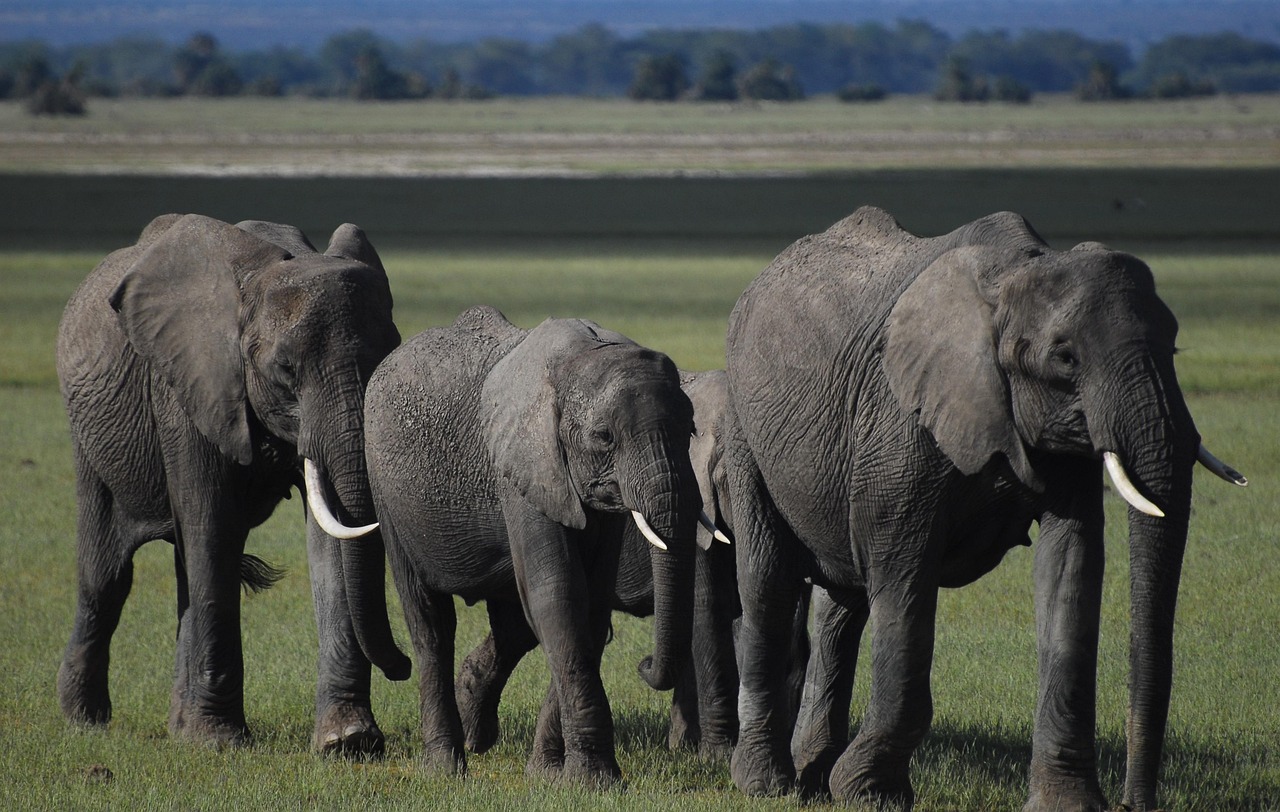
340 451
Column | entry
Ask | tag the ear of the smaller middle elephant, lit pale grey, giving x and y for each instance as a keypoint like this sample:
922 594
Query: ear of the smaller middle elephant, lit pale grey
522 422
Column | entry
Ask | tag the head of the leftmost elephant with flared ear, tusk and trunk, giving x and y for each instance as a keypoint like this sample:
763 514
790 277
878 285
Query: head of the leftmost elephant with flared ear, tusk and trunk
264 340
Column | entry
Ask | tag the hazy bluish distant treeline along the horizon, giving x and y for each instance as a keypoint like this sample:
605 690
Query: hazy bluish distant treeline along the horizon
858 62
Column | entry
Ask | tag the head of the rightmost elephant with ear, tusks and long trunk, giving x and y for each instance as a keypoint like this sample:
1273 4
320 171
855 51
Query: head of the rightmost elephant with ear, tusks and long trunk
1023 353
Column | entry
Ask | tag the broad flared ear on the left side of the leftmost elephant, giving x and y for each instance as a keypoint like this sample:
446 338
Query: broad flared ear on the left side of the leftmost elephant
180 308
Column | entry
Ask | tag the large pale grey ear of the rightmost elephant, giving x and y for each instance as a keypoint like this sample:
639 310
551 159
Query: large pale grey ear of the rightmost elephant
941 361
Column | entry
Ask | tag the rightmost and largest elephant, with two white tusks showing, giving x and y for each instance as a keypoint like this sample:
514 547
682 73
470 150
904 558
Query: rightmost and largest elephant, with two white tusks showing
903 409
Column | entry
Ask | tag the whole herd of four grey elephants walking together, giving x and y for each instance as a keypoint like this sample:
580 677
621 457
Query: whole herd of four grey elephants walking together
895 414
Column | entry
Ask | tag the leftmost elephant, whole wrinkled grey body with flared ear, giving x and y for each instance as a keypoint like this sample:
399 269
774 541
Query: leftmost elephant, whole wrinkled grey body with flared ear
199 367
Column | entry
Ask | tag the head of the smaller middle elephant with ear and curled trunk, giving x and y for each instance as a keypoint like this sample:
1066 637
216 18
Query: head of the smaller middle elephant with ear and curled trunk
582 419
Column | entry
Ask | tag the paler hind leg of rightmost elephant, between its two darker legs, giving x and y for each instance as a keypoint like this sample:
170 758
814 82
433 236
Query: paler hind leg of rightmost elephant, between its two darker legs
822 727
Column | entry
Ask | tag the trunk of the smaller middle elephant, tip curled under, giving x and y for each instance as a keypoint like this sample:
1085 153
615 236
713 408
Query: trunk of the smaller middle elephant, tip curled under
666 494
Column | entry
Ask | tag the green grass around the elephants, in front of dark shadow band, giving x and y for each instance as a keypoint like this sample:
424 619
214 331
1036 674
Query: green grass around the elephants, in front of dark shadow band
1224 743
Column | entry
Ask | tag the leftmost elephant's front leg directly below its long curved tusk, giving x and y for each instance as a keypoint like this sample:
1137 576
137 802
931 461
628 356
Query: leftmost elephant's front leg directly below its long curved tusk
345 719
